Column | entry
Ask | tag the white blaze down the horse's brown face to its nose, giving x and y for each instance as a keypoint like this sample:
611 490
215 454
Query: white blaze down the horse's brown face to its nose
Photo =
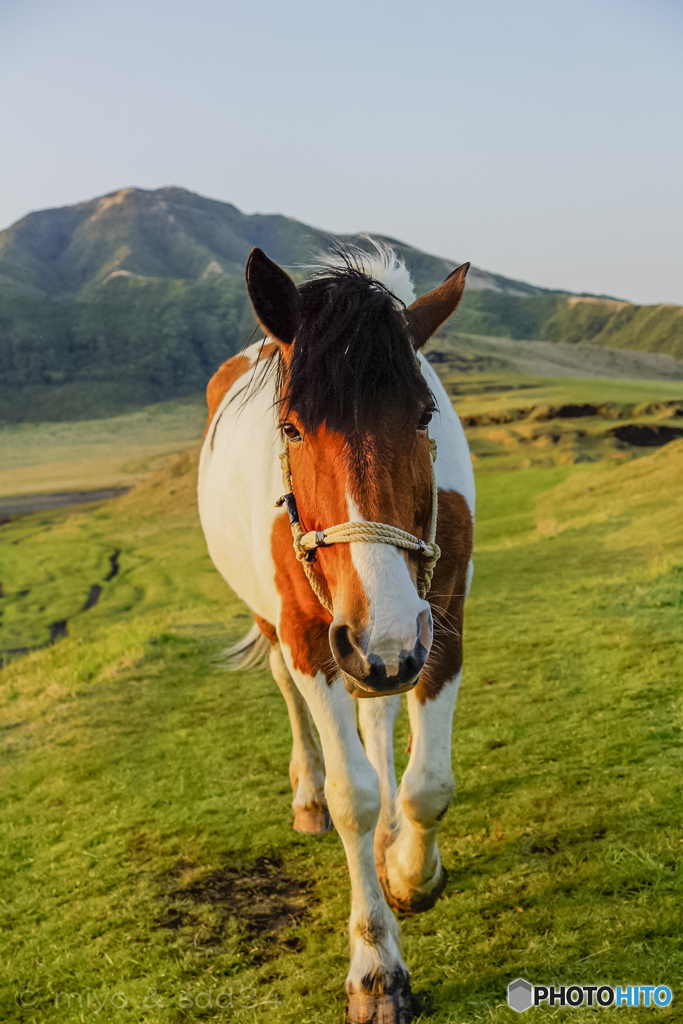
398 617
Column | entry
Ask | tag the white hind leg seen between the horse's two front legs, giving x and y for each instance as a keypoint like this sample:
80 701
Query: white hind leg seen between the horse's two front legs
377 717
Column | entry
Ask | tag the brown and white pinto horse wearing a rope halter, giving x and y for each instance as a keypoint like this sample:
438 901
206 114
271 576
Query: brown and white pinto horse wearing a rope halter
336 495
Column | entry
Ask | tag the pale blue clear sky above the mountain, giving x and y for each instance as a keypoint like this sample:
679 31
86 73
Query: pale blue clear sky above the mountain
537 139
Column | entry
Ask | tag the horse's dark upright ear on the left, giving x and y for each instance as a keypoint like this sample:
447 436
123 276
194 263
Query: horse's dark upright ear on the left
274 296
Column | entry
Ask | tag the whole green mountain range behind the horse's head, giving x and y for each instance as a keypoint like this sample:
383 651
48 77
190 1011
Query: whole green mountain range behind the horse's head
138 296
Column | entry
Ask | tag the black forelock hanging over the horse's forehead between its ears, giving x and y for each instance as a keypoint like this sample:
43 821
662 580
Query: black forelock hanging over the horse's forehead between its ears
354 362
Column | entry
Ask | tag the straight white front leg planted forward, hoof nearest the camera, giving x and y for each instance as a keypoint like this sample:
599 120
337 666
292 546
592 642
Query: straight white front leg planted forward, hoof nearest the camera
377 984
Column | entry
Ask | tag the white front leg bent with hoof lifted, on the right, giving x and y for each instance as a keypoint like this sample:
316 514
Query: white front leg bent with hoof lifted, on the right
414 871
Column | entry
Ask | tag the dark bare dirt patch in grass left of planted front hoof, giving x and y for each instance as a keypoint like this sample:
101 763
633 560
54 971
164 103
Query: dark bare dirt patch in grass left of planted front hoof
262 900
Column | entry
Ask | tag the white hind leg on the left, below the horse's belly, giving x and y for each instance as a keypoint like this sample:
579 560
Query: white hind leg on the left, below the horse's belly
307 767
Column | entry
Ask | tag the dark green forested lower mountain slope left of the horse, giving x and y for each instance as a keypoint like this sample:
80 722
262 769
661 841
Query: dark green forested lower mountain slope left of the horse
132 344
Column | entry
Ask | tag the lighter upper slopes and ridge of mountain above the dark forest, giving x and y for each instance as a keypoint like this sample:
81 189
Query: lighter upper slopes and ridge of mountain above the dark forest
175 234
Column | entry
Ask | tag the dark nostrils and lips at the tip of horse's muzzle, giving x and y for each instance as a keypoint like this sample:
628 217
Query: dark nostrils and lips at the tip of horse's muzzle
368 675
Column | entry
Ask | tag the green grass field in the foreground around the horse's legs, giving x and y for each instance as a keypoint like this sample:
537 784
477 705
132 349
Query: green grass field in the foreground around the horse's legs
150 869
